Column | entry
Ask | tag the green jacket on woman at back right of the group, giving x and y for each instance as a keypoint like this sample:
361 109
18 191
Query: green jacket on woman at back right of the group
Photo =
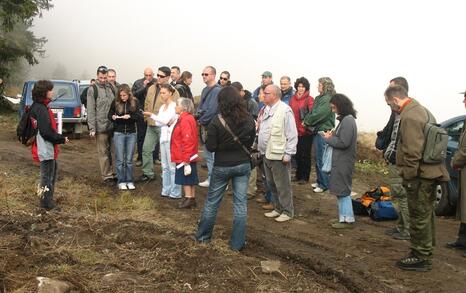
321 117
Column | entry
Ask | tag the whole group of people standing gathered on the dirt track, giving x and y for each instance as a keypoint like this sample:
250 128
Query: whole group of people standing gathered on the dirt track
278 124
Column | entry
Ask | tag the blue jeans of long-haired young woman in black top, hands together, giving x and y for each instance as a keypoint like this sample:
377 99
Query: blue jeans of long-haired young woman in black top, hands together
124 151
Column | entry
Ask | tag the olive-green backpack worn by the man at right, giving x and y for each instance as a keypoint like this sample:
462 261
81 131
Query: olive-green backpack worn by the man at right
436 142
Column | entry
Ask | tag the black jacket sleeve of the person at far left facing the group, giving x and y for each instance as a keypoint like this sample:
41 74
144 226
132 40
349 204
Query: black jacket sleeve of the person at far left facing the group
40 113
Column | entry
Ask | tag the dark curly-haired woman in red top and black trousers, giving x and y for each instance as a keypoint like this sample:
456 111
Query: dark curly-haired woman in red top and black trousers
301 103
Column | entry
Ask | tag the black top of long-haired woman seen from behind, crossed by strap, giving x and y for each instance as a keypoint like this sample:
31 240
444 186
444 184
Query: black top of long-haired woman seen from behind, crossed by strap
229 153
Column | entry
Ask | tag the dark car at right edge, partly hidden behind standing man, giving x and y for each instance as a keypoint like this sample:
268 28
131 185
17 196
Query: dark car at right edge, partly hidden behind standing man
447 193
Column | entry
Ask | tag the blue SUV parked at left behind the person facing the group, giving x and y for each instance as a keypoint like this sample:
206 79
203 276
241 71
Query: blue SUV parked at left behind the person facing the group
65 100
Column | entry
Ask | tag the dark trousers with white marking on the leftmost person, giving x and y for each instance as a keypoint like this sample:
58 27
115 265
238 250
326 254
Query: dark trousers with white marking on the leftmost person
48 175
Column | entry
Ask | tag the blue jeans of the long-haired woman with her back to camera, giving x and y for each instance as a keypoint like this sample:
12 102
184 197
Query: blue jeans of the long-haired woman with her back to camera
239 175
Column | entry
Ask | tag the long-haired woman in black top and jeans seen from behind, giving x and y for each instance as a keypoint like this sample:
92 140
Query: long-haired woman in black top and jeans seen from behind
232 162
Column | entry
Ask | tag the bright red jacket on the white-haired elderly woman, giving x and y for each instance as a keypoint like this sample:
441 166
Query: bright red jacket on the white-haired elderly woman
184 141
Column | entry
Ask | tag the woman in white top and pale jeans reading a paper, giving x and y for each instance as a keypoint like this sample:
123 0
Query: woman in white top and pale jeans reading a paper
166 119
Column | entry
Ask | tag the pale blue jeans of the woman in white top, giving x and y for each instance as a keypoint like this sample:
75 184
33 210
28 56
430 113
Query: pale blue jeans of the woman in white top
169 188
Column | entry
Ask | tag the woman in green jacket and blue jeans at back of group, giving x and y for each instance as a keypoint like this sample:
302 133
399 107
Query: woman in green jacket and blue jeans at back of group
321 118
